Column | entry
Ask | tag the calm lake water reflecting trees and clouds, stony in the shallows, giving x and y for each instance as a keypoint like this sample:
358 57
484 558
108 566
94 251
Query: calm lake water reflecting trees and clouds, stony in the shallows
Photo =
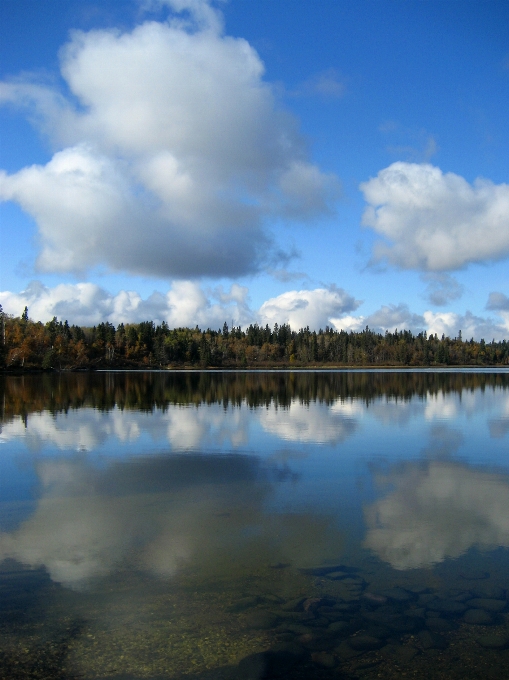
254 525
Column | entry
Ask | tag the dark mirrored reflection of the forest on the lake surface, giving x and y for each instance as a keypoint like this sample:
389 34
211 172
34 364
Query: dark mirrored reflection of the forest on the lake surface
149 391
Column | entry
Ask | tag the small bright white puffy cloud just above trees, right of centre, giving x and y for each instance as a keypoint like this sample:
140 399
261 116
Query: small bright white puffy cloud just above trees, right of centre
314 308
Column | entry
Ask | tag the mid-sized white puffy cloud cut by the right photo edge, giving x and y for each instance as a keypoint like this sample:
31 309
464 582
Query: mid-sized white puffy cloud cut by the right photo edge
435 221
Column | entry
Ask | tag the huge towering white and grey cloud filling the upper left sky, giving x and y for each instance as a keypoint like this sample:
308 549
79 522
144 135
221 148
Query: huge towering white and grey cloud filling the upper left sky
169 161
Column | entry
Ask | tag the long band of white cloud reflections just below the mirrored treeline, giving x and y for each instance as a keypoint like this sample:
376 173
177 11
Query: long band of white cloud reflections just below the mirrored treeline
199 426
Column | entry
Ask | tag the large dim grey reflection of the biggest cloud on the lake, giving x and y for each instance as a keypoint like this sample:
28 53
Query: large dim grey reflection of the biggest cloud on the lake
159 515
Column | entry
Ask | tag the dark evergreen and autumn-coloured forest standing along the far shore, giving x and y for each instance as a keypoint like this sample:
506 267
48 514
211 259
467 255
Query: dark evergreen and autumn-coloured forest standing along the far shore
27 344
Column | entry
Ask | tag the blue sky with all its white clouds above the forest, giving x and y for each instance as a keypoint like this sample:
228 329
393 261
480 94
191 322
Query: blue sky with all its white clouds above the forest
321 163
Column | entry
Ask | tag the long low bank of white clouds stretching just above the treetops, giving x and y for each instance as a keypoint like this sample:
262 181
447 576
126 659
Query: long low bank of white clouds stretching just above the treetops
186 303
